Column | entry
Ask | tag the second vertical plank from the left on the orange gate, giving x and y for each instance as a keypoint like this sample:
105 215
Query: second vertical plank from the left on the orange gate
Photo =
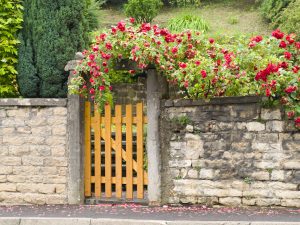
97 130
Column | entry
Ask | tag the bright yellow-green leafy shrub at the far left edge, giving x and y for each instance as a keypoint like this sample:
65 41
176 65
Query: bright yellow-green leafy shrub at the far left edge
10 23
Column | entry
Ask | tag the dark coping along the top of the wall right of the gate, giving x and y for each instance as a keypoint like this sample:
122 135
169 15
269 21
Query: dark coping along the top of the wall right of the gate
213 101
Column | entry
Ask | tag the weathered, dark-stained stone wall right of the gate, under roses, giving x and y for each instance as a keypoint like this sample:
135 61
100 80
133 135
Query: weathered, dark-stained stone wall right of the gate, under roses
229 151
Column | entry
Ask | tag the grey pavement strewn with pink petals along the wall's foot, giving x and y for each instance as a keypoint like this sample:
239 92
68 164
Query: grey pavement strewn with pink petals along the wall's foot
157 215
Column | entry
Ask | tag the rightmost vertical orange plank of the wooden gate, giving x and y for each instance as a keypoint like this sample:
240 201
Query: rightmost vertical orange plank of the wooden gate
140 150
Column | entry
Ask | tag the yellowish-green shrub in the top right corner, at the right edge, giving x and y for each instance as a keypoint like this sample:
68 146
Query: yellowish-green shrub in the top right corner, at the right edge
289 21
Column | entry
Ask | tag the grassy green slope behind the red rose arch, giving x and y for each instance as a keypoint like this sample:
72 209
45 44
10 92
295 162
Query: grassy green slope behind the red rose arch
224 17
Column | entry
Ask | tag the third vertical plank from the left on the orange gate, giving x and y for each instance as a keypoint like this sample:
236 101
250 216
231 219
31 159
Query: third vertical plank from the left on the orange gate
107 151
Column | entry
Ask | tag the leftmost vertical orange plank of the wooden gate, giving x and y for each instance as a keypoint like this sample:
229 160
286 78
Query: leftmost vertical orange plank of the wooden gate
87 146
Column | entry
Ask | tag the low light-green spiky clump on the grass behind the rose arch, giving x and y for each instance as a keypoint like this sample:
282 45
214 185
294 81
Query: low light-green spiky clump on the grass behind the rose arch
187 22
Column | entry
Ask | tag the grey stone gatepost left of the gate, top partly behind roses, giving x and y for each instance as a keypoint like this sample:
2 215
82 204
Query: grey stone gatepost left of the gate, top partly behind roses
75 142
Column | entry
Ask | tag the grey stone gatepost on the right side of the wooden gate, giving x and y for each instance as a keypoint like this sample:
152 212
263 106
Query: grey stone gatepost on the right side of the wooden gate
156 89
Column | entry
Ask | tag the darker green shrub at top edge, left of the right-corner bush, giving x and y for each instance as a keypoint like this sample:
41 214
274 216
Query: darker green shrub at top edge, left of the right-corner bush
271 9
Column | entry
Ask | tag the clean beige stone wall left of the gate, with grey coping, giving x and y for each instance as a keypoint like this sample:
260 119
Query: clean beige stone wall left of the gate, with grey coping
33 151
